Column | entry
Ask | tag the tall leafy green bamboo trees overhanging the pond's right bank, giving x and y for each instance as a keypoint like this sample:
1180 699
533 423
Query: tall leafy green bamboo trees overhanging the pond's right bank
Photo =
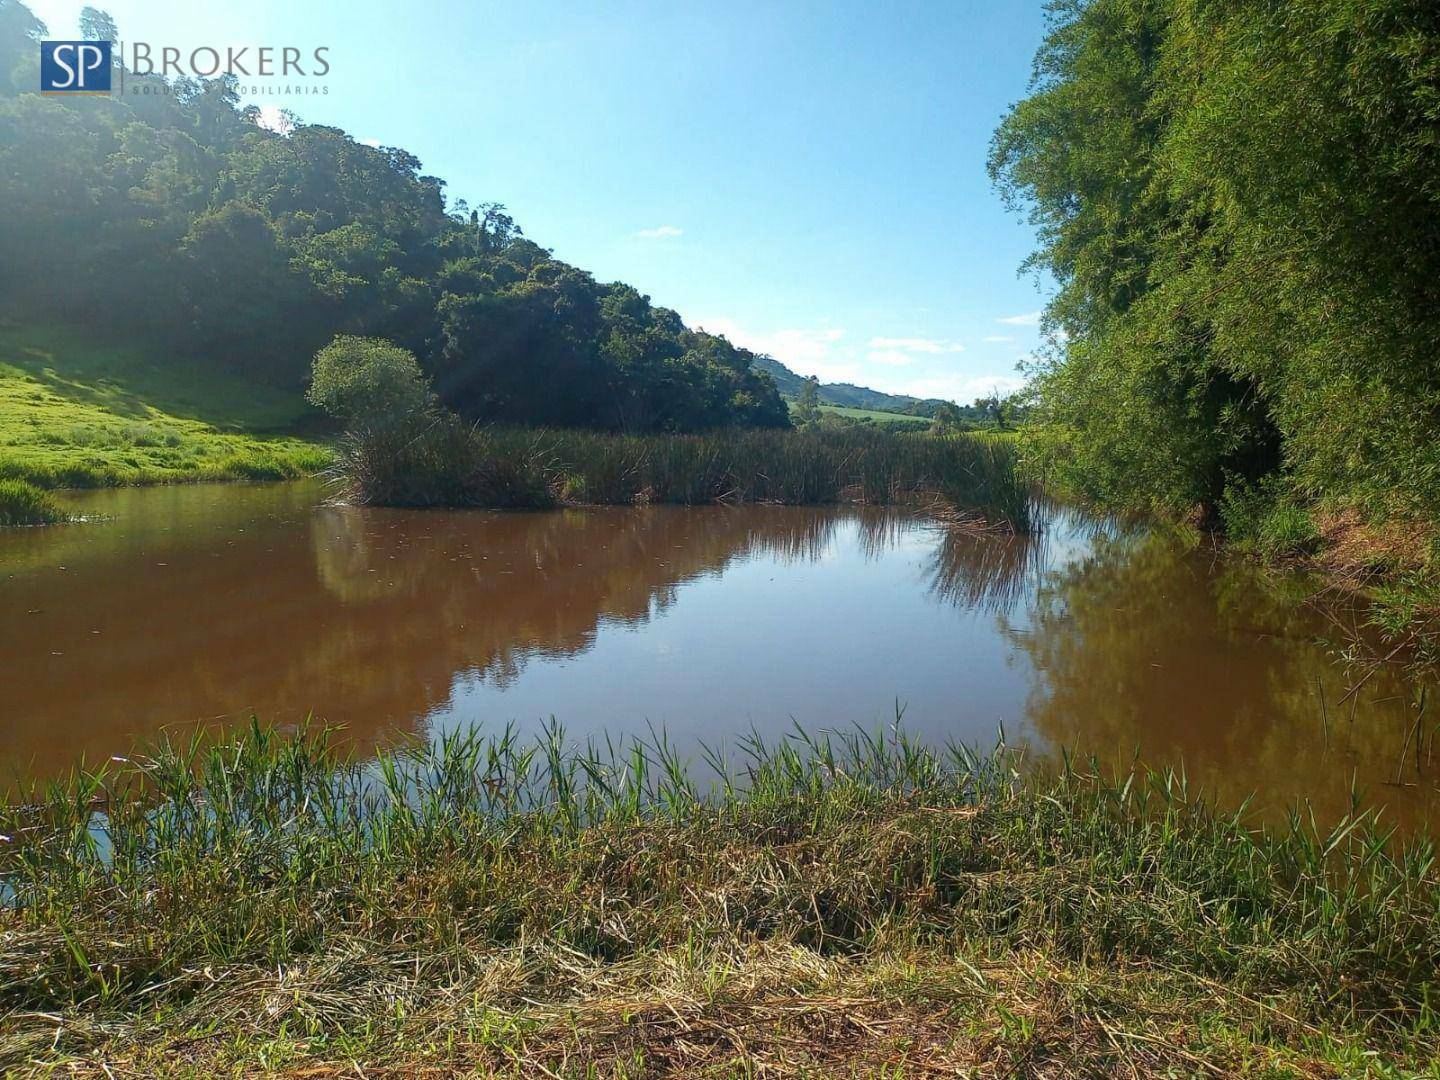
1242 205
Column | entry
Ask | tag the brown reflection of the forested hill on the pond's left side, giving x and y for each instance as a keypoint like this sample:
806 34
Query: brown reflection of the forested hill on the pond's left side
364 617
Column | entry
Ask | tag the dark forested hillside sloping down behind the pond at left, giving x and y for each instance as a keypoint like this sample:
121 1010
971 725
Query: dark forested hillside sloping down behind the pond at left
176 221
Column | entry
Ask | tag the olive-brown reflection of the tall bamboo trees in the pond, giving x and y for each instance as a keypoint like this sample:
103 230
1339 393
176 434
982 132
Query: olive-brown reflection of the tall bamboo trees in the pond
1146 646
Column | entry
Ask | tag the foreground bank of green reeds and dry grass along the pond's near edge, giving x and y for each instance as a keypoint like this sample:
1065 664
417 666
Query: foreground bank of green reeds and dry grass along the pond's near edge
859 905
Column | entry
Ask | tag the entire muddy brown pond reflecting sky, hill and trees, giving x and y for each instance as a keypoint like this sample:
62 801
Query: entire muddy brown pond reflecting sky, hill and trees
205 606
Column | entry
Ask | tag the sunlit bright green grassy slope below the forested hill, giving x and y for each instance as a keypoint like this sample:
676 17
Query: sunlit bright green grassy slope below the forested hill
77 414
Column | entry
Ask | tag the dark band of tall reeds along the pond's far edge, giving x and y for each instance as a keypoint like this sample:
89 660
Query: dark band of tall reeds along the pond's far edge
447 463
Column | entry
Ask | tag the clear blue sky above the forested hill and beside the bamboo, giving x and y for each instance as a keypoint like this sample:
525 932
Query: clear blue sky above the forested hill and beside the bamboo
806 178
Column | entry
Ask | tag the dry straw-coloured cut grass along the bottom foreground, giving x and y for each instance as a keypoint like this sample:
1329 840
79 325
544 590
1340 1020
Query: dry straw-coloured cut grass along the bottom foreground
757 1010
